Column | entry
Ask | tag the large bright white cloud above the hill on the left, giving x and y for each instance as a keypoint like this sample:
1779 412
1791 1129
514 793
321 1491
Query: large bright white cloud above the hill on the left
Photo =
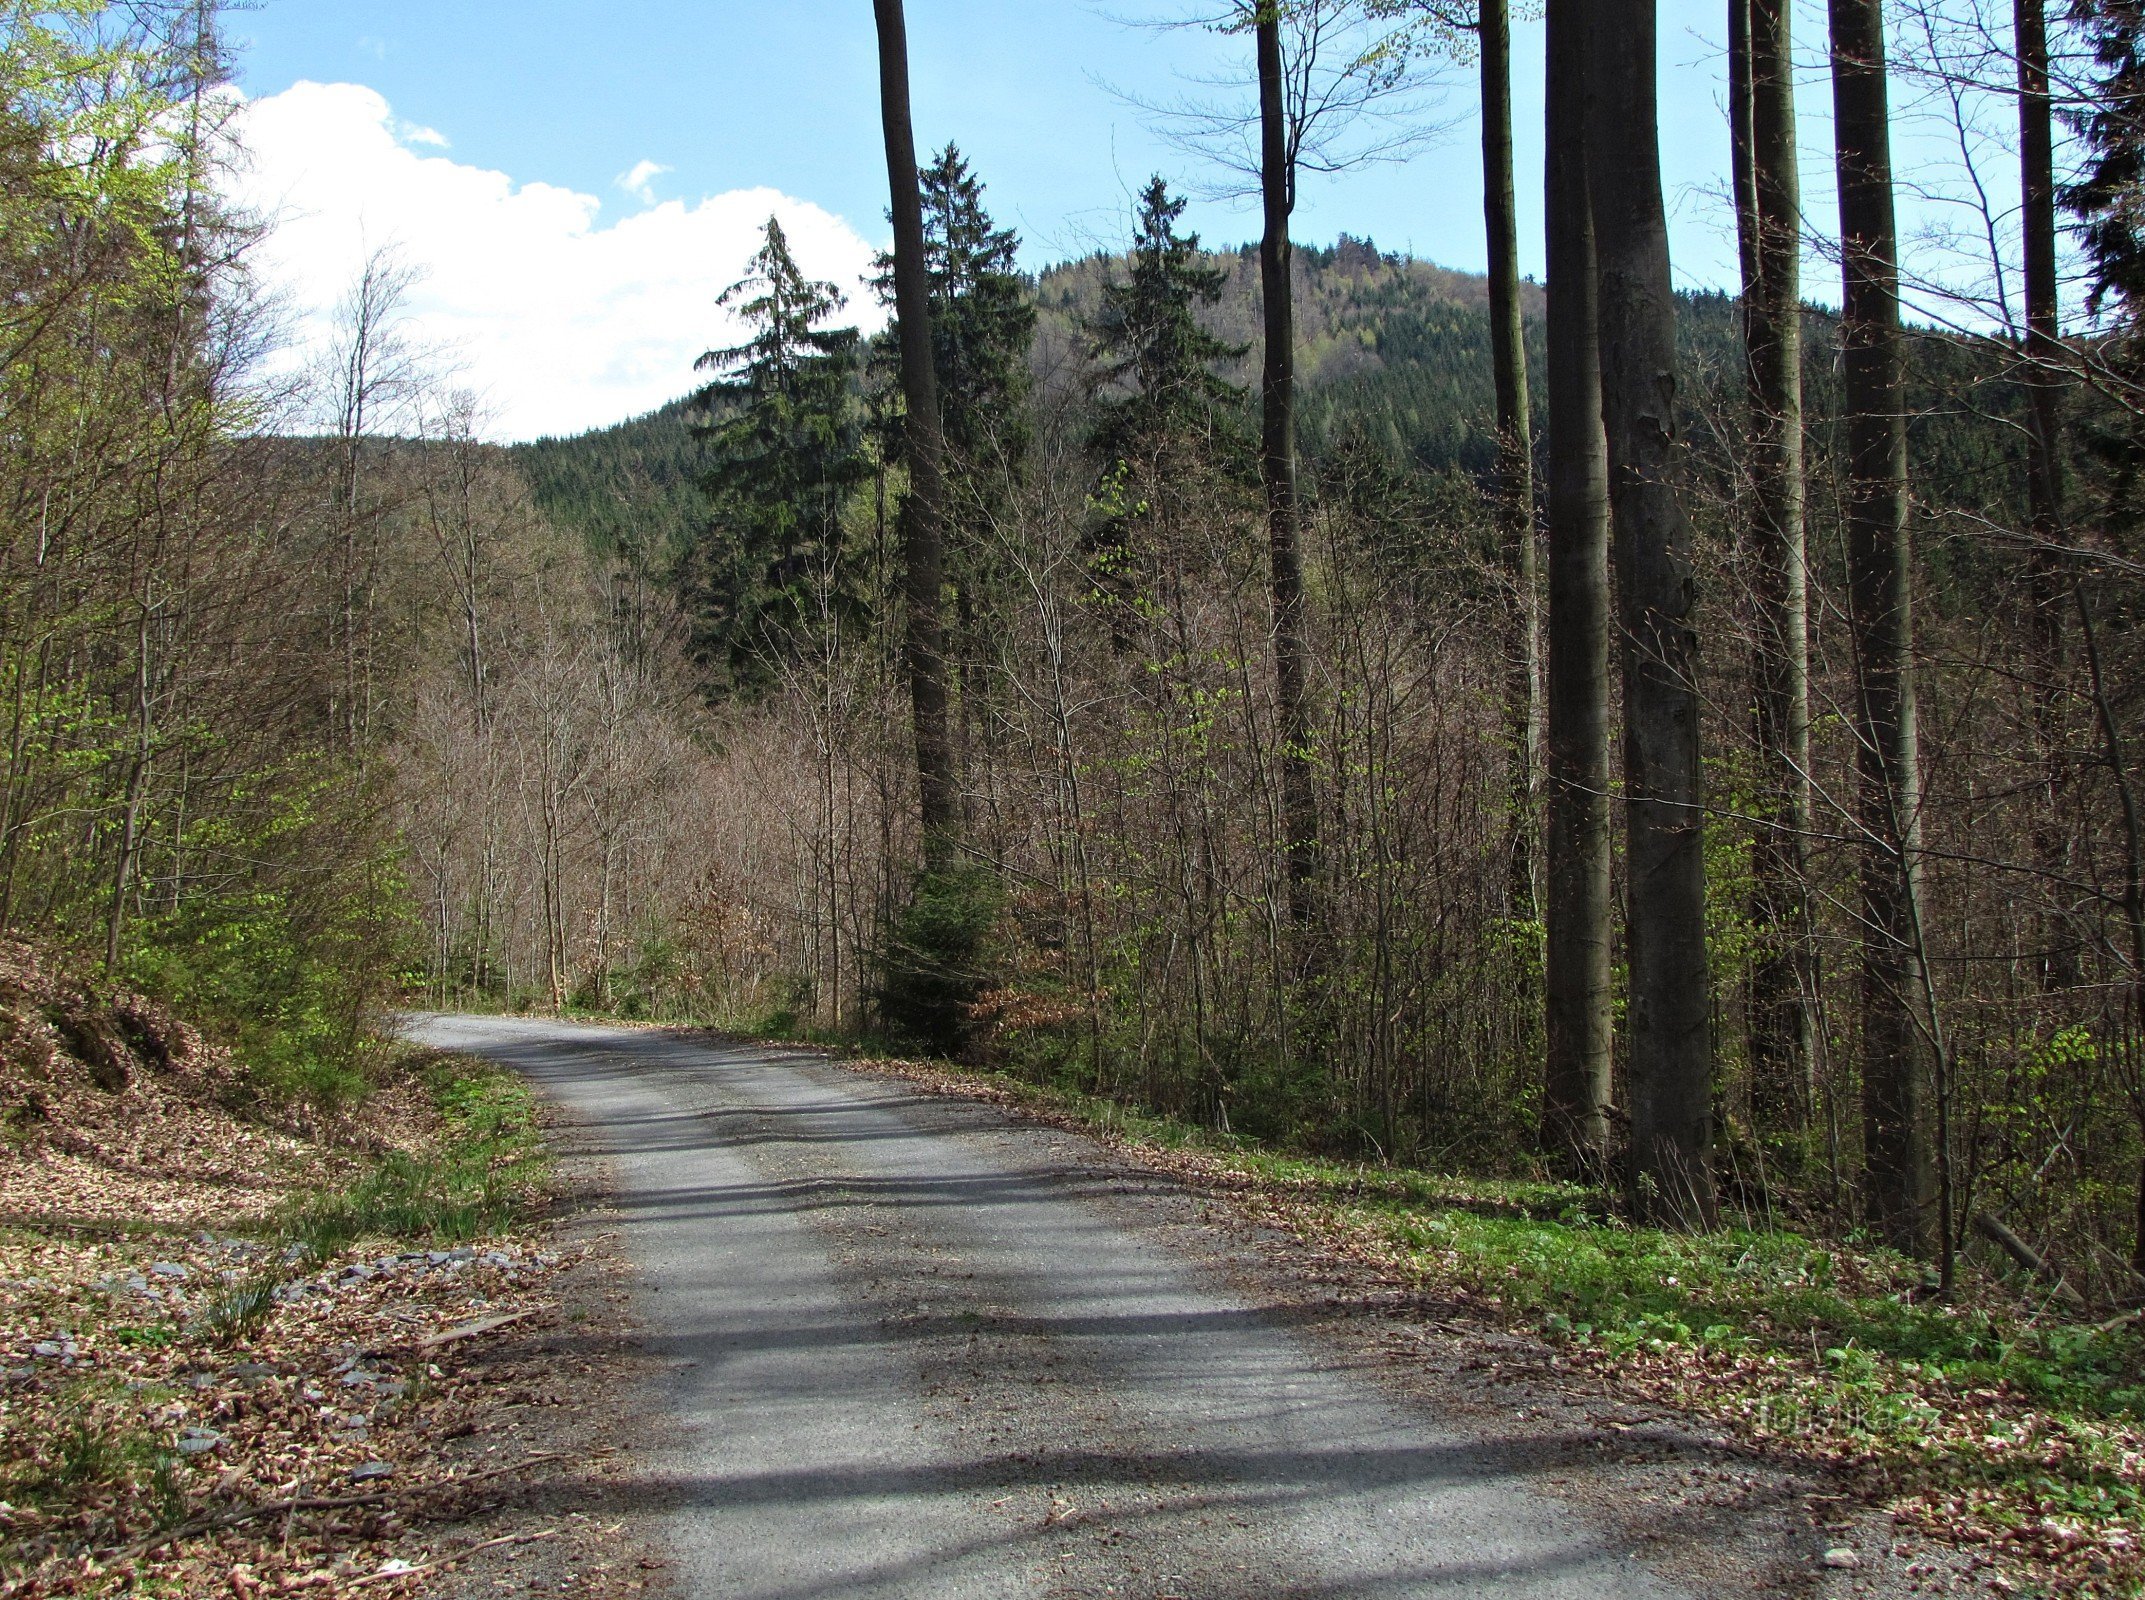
559 318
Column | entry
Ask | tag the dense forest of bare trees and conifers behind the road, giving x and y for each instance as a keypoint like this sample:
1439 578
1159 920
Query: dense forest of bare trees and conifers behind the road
1676 741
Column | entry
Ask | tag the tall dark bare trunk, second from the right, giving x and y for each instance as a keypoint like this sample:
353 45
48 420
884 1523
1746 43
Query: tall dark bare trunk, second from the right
1880 591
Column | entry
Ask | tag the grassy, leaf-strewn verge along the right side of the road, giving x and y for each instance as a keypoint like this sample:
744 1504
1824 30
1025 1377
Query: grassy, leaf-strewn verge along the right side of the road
1985 1434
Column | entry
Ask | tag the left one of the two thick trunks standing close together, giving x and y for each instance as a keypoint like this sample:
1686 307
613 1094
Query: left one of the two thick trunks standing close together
1578 994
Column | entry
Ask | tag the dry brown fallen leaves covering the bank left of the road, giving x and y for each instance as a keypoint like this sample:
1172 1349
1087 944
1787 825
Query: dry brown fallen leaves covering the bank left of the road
190 1406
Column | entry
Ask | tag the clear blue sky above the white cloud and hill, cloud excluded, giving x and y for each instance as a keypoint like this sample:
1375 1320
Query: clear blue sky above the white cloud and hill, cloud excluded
745 93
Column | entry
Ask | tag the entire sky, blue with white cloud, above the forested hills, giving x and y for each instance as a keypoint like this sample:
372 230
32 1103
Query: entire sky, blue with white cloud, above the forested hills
578 183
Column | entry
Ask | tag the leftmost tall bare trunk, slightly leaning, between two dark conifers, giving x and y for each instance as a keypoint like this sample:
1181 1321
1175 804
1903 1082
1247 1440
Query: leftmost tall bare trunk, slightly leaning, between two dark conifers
923 514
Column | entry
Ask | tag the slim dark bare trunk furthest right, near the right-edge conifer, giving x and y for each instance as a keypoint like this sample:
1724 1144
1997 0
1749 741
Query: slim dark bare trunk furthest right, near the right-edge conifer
2045 462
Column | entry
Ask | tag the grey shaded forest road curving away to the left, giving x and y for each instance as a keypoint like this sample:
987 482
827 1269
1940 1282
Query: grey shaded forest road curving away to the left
923 1357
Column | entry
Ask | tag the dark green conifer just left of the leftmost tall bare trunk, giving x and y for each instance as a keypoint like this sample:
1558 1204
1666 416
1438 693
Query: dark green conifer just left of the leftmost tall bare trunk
782 426
